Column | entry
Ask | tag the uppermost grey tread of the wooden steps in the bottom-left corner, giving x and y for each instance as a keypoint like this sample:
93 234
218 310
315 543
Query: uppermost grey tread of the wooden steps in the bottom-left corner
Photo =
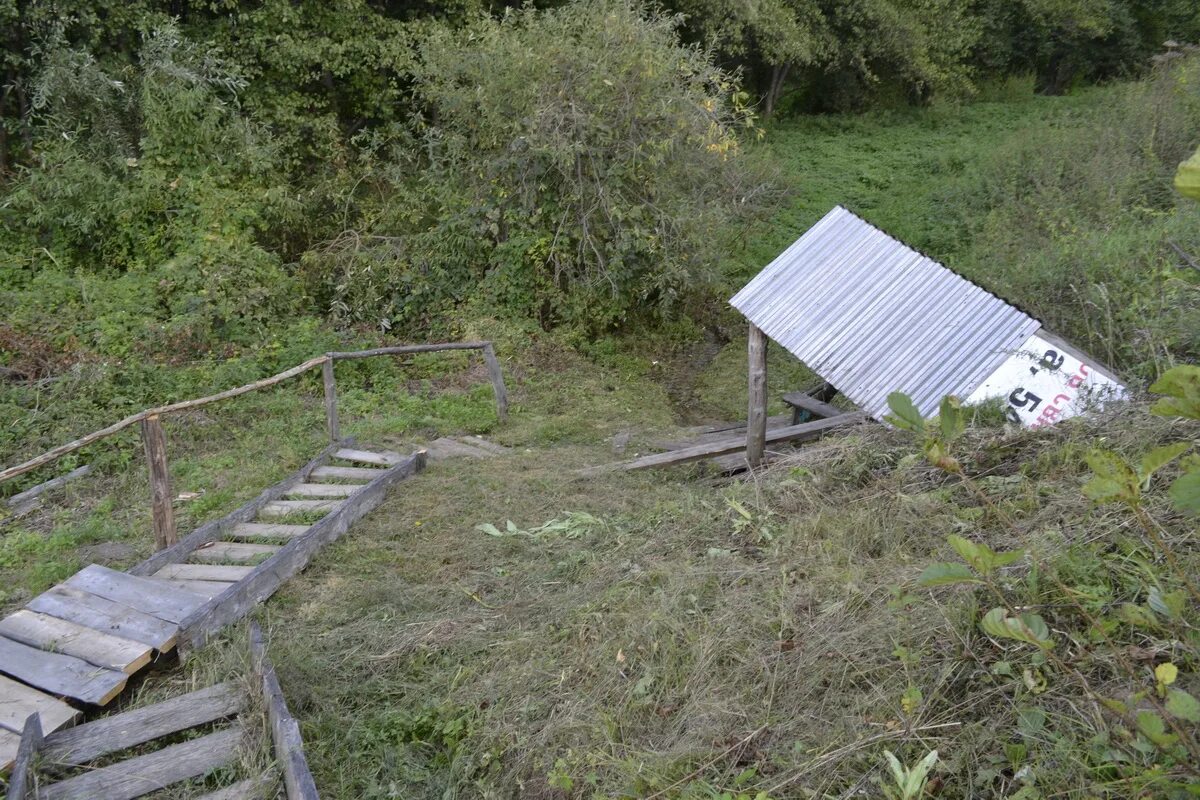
92 741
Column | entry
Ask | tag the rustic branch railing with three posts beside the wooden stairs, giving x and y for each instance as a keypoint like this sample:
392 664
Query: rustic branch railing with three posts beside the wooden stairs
155 443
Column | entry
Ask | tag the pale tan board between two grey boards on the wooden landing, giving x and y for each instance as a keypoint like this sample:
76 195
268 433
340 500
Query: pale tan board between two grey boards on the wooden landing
70 639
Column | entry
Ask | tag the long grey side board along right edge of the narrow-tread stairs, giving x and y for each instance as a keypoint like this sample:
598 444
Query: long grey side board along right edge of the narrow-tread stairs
242 598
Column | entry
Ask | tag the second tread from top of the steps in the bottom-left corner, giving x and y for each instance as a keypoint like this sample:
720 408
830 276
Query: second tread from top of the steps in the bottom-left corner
146 774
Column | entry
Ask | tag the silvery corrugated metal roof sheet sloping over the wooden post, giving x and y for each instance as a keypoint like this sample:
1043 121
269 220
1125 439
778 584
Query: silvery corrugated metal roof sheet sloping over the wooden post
873 316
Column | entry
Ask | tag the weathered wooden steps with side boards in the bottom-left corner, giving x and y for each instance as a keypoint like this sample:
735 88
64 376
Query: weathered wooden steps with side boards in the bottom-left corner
76 765
